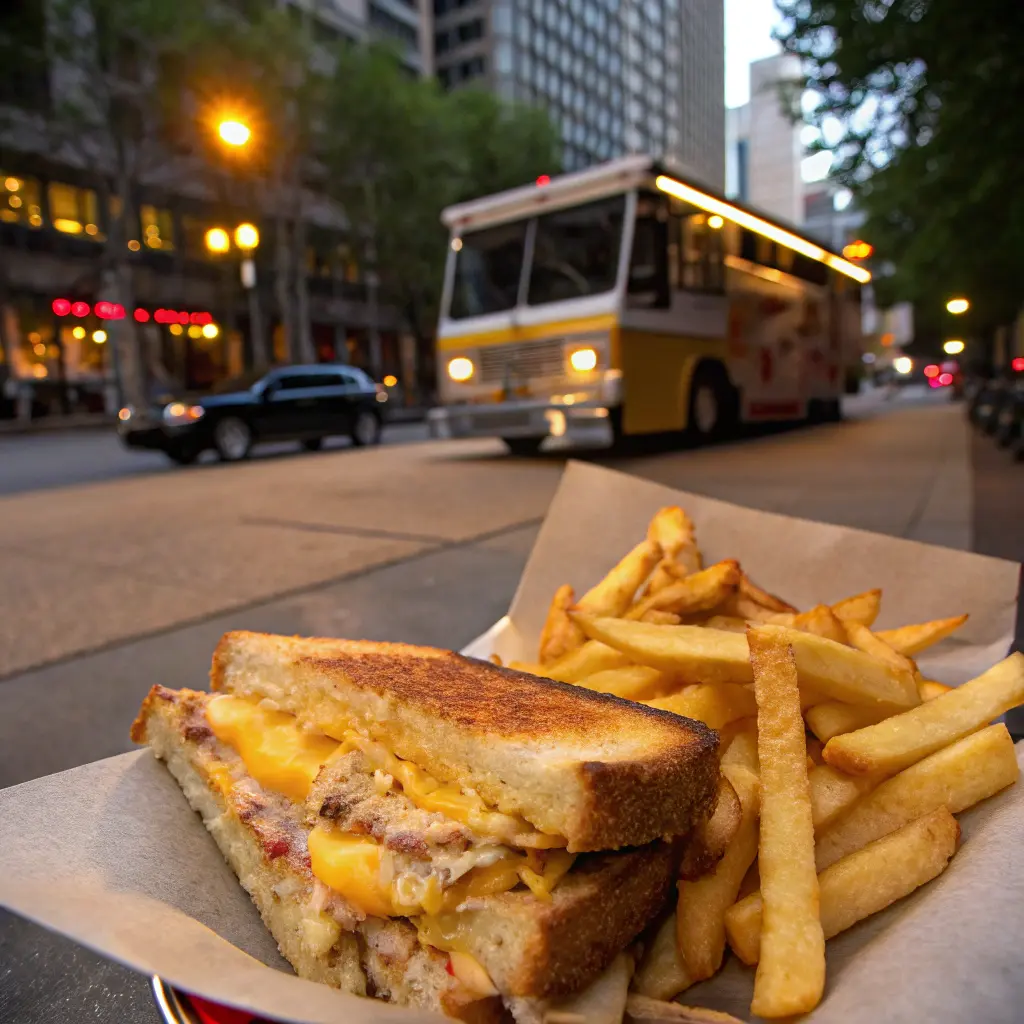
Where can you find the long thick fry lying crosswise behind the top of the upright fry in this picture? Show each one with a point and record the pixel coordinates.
(700, 655)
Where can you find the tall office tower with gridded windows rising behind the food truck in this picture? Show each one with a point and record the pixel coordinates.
(636, 76)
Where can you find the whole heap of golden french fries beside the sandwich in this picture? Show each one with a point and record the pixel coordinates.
(842, 767)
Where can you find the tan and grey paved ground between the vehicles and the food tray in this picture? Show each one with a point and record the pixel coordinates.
(129, 577)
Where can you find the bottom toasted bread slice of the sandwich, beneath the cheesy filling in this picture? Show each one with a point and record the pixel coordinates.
(529, 947)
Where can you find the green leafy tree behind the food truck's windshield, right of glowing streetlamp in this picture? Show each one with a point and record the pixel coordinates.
(398, 151)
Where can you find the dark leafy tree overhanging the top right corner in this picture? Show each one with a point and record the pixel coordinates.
(919, 101)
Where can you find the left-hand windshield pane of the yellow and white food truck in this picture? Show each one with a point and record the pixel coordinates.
(487, 271)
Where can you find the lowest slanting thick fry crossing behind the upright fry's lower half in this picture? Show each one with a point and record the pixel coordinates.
(864, 883)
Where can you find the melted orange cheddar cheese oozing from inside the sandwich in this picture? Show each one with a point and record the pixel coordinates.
(281, 756)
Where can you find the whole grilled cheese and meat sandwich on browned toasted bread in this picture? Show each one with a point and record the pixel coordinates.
(430, 829)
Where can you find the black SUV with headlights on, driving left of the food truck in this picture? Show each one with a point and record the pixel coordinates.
(305, 404)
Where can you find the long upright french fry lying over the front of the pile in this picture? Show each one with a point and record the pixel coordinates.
(791, 973)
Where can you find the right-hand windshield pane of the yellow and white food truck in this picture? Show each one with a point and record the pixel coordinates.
(577, 251)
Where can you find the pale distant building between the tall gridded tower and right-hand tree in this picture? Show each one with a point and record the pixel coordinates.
(763, 148)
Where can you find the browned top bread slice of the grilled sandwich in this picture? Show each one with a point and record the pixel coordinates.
(603, 773)
